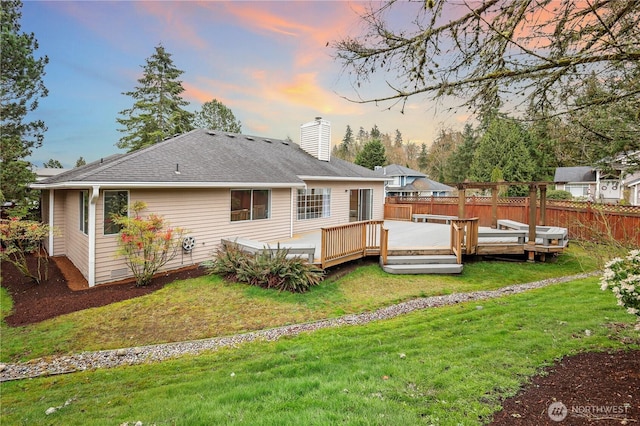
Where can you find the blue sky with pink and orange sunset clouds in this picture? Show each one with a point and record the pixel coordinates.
(267, 61)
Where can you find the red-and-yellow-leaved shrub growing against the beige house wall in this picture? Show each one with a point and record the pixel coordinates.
(147, 244)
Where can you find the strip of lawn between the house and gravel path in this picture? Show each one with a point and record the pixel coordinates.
(209, 307)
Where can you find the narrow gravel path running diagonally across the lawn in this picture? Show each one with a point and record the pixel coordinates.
(53, 365)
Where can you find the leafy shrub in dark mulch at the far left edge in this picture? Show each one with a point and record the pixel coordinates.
(20, 238)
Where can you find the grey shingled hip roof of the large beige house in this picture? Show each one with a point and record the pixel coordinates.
(203, 158)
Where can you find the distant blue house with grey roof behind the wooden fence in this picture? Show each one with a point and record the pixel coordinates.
(406, 182)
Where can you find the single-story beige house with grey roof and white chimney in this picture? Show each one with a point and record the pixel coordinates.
(215, 185)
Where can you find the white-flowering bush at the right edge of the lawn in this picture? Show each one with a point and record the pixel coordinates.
(622, 277)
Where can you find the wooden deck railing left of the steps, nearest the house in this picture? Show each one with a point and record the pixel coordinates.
(351, 241)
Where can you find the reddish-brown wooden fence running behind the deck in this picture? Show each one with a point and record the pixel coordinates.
(584, 220)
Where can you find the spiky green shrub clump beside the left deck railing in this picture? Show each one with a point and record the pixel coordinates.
(266, 269)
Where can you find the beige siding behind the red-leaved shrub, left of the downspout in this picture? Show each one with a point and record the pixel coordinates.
(204, 213)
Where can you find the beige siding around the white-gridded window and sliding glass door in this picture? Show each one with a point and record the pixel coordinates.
(339, 204)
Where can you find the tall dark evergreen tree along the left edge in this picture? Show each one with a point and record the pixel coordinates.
(21, 85)
